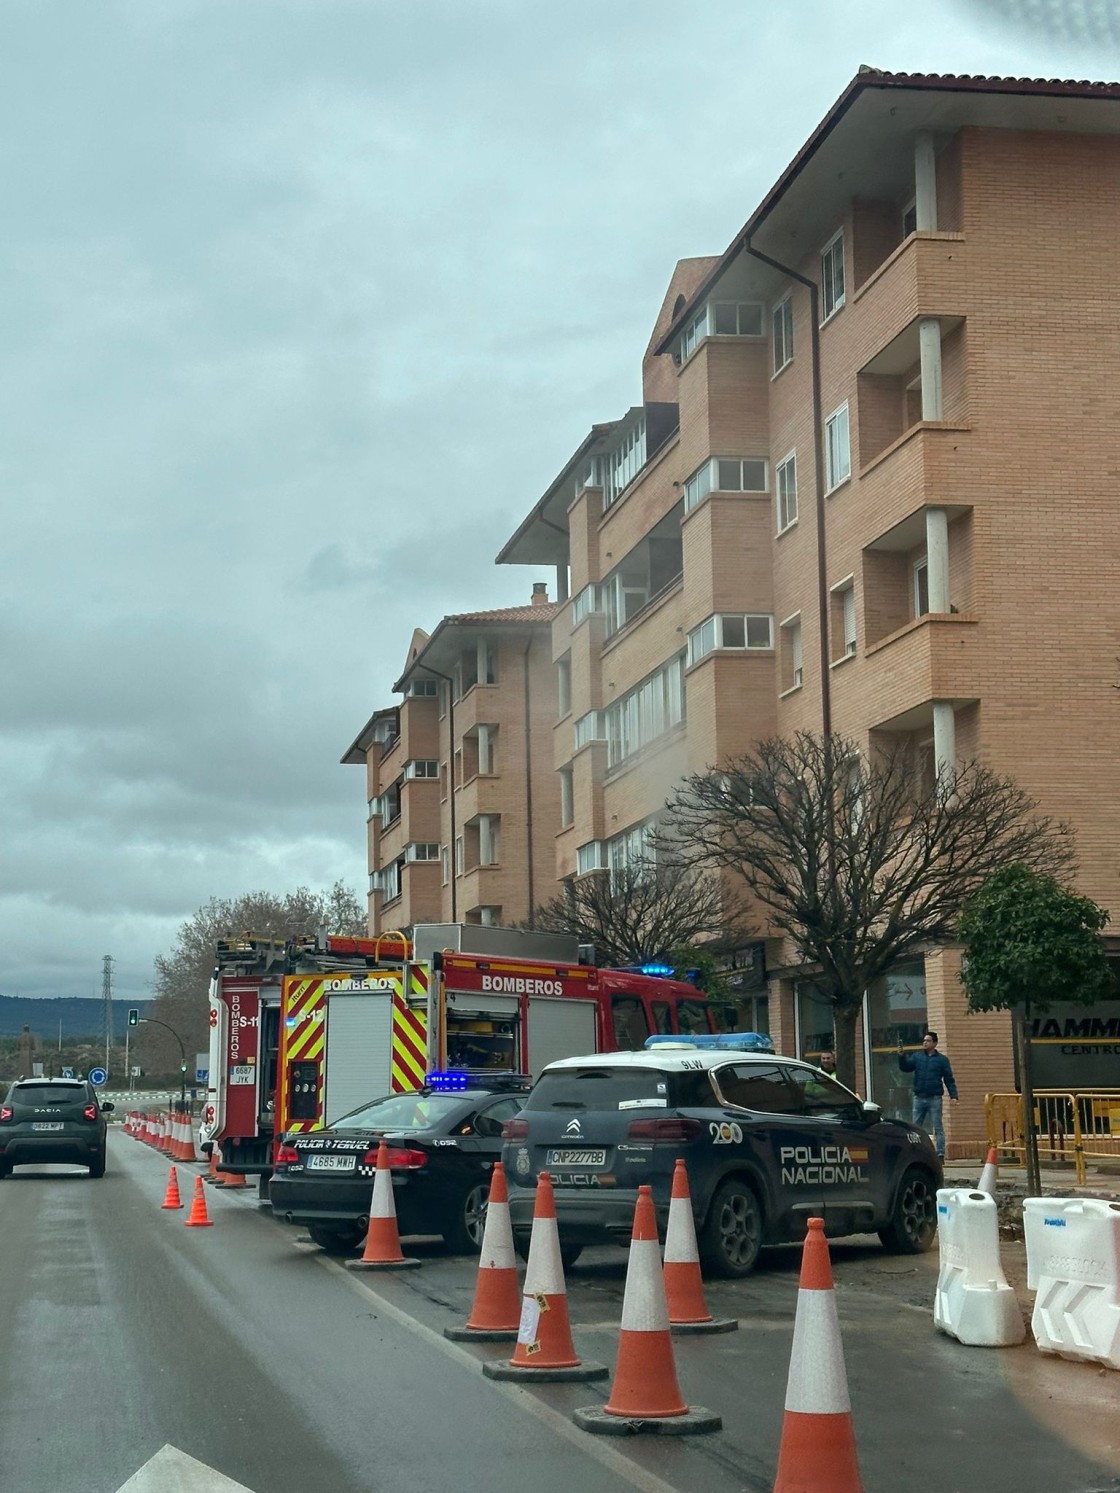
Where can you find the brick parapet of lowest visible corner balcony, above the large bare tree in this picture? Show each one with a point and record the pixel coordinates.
(936, 658)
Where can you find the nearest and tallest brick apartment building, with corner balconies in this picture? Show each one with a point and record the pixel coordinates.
(871, 489)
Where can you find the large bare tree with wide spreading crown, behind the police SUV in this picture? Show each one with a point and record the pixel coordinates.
(858, 862)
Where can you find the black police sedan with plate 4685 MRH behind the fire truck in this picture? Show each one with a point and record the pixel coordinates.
(441, 1149)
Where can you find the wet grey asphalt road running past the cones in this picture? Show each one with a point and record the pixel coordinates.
(240, 1353)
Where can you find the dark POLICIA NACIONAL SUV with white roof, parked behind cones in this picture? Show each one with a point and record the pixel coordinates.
(770, 1143)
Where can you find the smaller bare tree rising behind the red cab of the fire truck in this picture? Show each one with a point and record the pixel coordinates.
(644, 913)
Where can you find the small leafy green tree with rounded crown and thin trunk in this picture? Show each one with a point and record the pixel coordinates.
(1028, 943)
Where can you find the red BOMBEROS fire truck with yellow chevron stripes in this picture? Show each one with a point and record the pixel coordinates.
(326, 1029)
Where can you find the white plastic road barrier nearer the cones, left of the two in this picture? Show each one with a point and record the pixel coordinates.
(974, 1303)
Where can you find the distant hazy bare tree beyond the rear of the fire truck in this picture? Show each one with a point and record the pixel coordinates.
(184, 976)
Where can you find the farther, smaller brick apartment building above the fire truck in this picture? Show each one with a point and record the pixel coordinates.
(464, 797)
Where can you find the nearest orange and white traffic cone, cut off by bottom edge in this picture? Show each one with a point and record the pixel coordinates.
(818, 1437)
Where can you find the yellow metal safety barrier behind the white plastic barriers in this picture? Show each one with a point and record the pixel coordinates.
(1073, 1126)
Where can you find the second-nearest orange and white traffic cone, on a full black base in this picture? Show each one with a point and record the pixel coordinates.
(646, 1395)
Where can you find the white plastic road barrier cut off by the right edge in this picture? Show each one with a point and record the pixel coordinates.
(1074, 1267)
